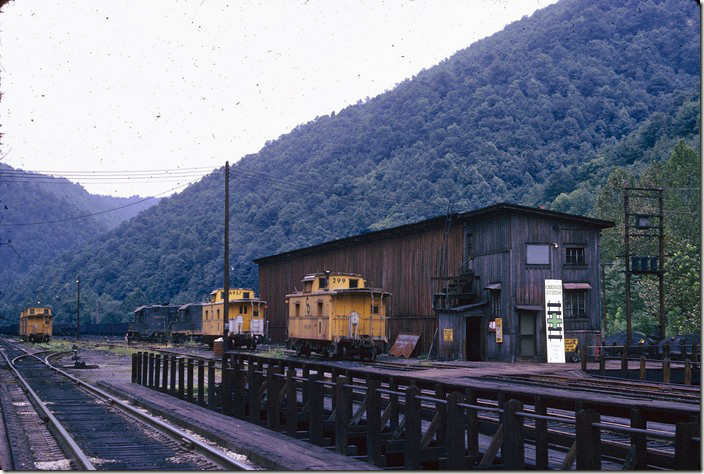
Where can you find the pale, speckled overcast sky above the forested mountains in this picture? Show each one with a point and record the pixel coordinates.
(111, 94)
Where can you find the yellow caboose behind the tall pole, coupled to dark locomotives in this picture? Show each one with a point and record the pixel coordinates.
(246, 317)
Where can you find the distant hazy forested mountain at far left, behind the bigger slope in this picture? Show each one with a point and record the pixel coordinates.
(27, 198)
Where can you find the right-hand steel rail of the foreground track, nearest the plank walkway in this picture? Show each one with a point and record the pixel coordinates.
(217, 456)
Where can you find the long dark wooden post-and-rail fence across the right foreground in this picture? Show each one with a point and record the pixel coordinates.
(405, 422)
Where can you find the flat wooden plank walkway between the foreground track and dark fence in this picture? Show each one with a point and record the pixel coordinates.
(267, 448)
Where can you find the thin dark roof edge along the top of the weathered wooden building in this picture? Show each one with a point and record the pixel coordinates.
(432, 223)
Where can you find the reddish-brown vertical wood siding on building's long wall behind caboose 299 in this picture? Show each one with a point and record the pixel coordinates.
(402, 265)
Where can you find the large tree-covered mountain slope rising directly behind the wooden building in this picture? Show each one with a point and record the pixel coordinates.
(537, 114)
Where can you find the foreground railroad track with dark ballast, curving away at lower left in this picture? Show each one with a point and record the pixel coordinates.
(98, 431)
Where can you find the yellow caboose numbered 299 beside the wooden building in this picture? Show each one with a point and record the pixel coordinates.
(335, 314)
